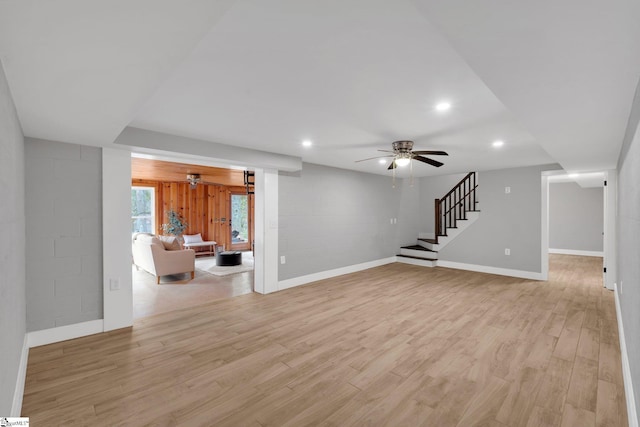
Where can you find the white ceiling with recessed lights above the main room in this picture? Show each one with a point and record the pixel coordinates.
(554, 81)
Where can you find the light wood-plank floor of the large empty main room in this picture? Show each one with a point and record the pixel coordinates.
(395, 345)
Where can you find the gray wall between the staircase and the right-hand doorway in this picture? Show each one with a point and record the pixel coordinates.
(511, 221)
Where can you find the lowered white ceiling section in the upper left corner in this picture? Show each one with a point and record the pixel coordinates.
(78, 70)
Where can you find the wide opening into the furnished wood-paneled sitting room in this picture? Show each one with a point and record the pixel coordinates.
(215, 208)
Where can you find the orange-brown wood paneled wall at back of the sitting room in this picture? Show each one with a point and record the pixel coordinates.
(205, 208)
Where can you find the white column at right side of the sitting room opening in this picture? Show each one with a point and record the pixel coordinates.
(266, 231)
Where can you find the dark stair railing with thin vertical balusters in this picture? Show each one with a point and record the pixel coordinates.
(454, 205)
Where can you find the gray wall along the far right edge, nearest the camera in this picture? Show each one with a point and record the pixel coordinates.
(628, 249)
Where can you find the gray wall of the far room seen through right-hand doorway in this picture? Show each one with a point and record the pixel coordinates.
(576, 217)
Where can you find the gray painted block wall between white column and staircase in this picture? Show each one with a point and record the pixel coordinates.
(331, 218)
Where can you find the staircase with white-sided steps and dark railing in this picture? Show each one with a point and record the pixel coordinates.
(454, 212)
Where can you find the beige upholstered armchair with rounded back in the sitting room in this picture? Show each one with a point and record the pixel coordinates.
(151, 254)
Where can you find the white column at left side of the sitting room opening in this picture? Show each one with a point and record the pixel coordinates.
(116, 238)
